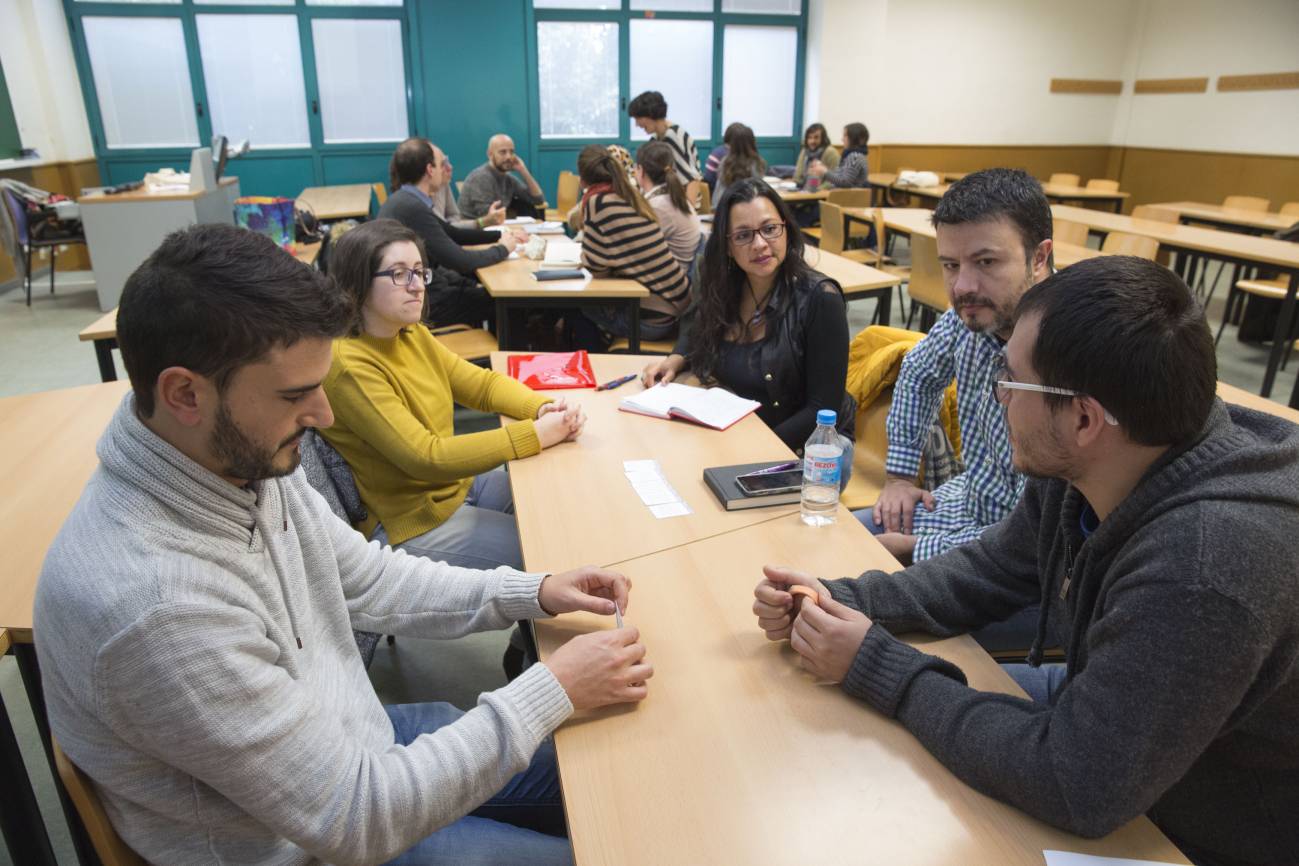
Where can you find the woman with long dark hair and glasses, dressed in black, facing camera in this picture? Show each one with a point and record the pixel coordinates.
(766, 325)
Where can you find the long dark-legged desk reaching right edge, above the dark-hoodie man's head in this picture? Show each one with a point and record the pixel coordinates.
(1227, 247)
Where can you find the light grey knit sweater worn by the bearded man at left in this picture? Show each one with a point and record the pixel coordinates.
(197, 642)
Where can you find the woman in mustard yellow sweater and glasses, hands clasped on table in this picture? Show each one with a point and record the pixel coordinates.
(394, 386)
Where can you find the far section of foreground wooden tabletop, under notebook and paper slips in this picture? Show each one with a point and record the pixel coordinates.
(559, 491)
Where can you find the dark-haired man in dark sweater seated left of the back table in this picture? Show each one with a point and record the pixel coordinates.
(416, 176)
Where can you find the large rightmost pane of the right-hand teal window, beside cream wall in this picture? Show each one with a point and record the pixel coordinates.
(758, 77)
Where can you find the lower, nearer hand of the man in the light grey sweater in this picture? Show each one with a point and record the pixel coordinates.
(602, 668)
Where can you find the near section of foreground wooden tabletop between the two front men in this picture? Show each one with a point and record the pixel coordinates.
(740, 758)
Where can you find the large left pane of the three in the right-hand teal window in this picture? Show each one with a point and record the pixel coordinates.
(577, 71)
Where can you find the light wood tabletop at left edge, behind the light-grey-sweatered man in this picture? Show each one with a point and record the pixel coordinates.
(47, 455)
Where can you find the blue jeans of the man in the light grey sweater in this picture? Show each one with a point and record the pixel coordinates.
(520, 825)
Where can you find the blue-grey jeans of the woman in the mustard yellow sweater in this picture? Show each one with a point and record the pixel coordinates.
(481, 534)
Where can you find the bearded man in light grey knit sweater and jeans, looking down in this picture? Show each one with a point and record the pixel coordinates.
(194, 617)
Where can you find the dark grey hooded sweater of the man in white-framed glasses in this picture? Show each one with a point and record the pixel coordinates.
(1180, 621)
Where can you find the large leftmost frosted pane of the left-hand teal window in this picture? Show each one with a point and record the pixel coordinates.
(142, 80)
